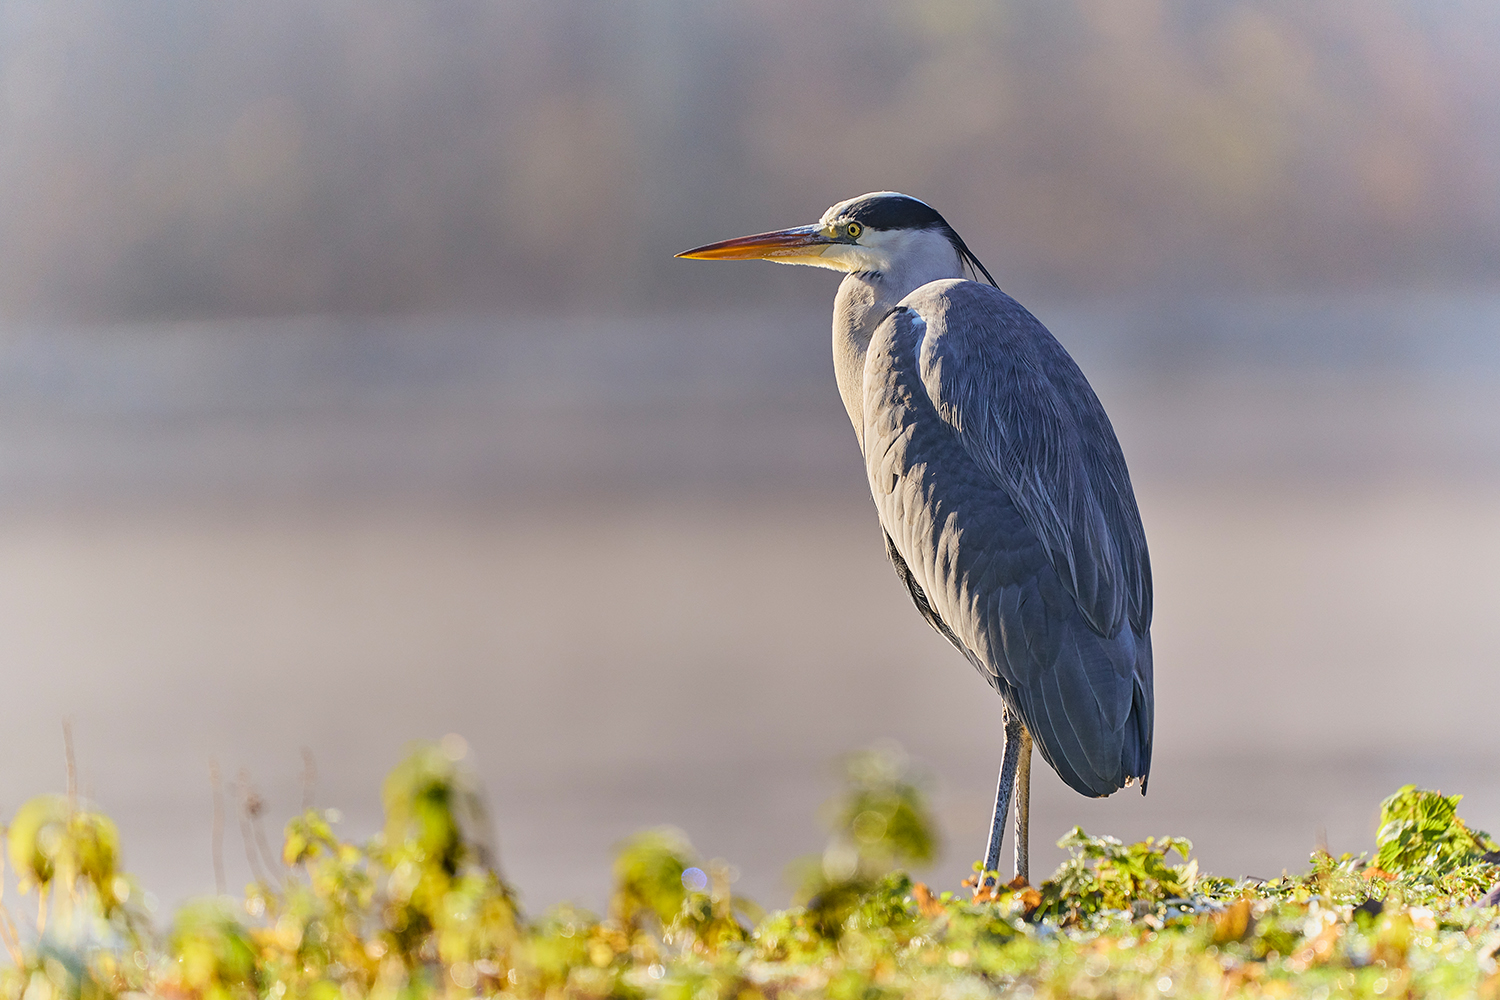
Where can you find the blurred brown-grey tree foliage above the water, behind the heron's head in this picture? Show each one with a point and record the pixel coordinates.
(299, 155)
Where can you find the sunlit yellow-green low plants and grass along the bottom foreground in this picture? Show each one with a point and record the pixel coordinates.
(422, 912)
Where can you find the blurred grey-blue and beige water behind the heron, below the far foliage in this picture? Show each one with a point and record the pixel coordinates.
(635, 564)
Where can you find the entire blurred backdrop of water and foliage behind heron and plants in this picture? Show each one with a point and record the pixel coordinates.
(350, 395)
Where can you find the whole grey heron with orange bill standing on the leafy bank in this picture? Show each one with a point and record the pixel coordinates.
(1007, 507)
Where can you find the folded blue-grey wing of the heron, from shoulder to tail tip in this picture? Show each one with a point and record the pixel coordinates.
(1010, 518)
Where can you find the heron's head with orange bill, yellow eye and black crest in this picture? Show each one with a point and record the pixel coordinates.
(880, 233)
